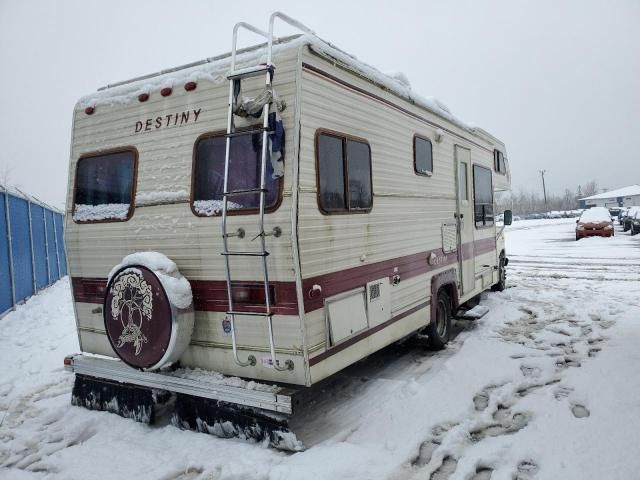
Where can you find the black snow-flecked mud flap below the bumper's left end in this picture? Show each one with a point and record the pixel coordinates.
(126, 400)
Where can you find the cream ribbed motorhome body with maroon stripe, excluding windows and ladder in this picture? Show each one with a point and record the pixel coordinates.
(345, 285)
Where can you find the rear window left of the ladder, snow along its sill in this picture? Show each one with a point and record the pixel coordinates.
(104, 187)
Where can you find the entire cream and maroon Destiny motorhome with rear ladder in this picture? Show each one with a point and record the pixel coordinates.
(274, 215)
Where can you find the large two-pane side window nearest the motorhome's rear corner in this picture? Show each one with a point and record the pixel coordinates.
(344, 173)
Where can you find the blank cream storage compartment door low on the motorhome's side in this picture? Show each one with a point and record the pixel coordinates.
(346, 315)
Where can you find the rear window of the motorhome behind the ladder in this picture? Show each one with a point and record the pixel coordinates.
(244, 174)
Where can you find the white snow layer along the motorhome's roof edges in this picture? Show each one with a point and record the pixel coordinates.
(215, 70)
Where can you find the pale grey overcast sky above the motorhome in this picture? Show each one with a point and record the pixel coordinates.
(557, 81)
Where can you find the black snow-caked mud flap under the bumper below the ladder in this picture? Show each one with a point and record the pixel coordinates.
(227, 420)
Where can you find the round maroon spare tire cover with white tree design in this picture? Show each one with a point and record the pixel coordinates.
(139, 318)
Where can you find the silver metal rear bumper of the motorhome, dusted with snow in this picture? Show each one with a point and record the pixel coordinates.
(278, 400)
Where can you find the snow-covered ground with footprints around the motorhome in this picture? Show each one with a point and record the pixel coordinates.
(545, 386)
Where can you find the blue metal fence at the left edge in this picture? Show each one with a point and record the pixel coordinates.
(31, 248)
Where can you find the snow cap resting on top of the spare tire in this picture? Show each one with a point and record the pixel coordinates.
(177, 287)
